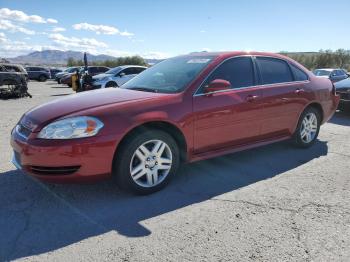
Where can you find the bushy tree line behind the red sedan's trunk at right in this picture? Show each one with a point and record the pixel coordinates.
(322, 59)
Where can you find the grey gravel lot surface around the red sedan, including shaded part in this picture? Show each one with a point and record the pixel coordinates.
(273, 203)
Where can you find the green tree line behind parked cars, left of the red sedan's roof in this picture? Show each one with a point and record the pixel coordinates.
(128, 60)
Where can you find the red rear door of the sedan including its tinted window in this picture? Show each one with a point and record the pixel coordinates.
(283, 91)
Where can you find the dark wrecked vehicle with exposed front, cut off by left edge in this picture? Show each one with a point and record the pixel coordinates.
(13, 81)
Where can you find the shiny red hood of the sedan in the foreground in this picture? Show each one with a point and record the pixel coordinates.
(41, 115)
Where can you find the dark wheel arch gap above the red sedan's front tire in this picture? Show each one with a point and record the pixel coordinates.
(166, 126)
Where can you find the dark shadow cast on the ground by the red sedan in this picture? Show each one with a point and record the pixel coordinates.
(36, 218)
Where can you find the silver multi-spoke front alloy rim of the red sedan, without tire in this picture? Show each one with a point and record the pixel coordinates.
(151, 163)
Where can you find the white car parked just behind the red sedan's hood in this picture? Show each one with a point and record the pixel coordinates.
(116, 76)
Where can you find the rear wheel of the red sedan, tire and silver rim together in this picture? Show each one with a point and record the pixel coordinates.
(308, 128)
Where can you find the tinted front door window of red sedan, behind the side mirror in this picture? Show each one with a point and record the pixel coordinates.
(238, 71)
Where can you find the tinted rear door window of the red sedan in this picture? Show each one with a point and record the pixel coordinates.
(274, 70)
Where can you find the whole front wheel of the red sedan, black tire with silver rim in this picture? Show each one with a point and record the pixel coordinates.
(152, 173)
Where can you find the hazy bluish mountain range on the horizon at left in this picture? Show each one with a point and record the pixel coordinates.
(57, 57)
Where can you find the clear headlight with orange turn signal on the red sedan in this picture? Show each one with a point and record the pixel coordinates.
(69, 128)
